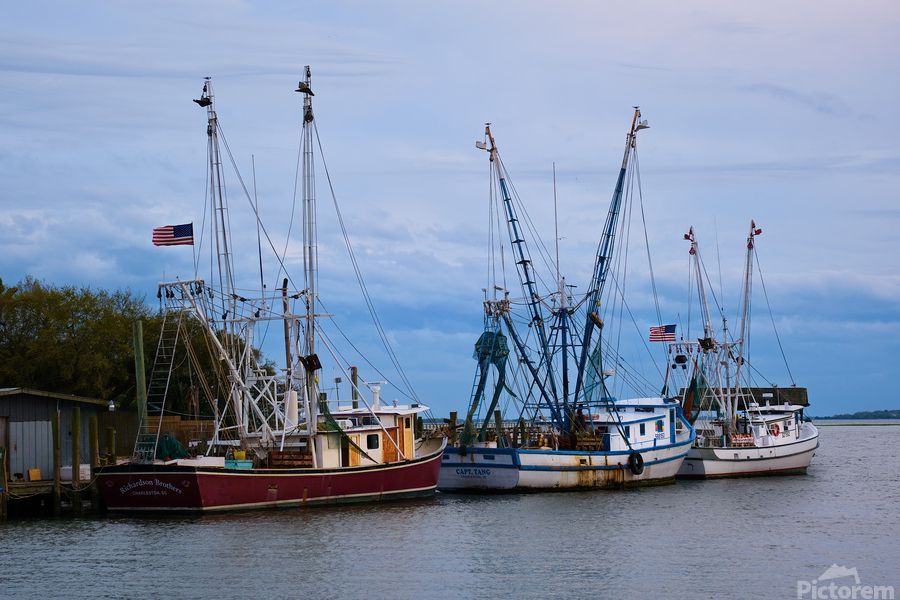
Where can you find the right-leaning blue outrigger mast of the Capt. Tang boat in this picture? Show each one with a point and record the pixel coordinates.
(605, 250)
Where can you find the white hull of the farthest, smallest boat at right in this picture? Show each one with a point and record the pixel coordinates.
(787, 459)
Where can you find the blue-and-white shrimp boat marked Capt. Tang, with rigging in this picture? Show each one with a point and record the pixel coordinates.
(567, 430)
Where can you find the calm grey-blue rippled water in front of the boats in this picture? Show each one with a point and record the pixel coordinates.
(731, 538)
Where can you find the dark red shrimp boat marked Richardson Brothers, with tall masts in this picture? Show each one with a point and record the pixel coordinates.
(278, 440)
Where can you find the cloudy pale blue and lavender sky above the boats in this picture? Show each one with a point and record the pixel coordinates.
(780, 112)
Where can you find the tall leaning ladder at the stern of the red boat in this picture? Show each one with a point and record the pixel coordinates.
(158, 388)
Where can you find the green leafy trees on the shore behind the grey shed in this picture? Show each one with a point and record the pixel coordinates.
(78, 340)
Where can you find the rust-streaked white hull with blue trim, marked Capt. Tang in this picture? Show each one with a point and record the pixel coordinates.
(518, 469)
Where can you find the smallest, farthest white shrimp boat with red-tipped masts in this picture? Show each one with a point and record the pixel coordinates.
(741, 430)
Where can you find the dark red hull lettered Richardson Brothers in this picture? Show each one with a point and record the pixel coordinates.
(142, 487)
